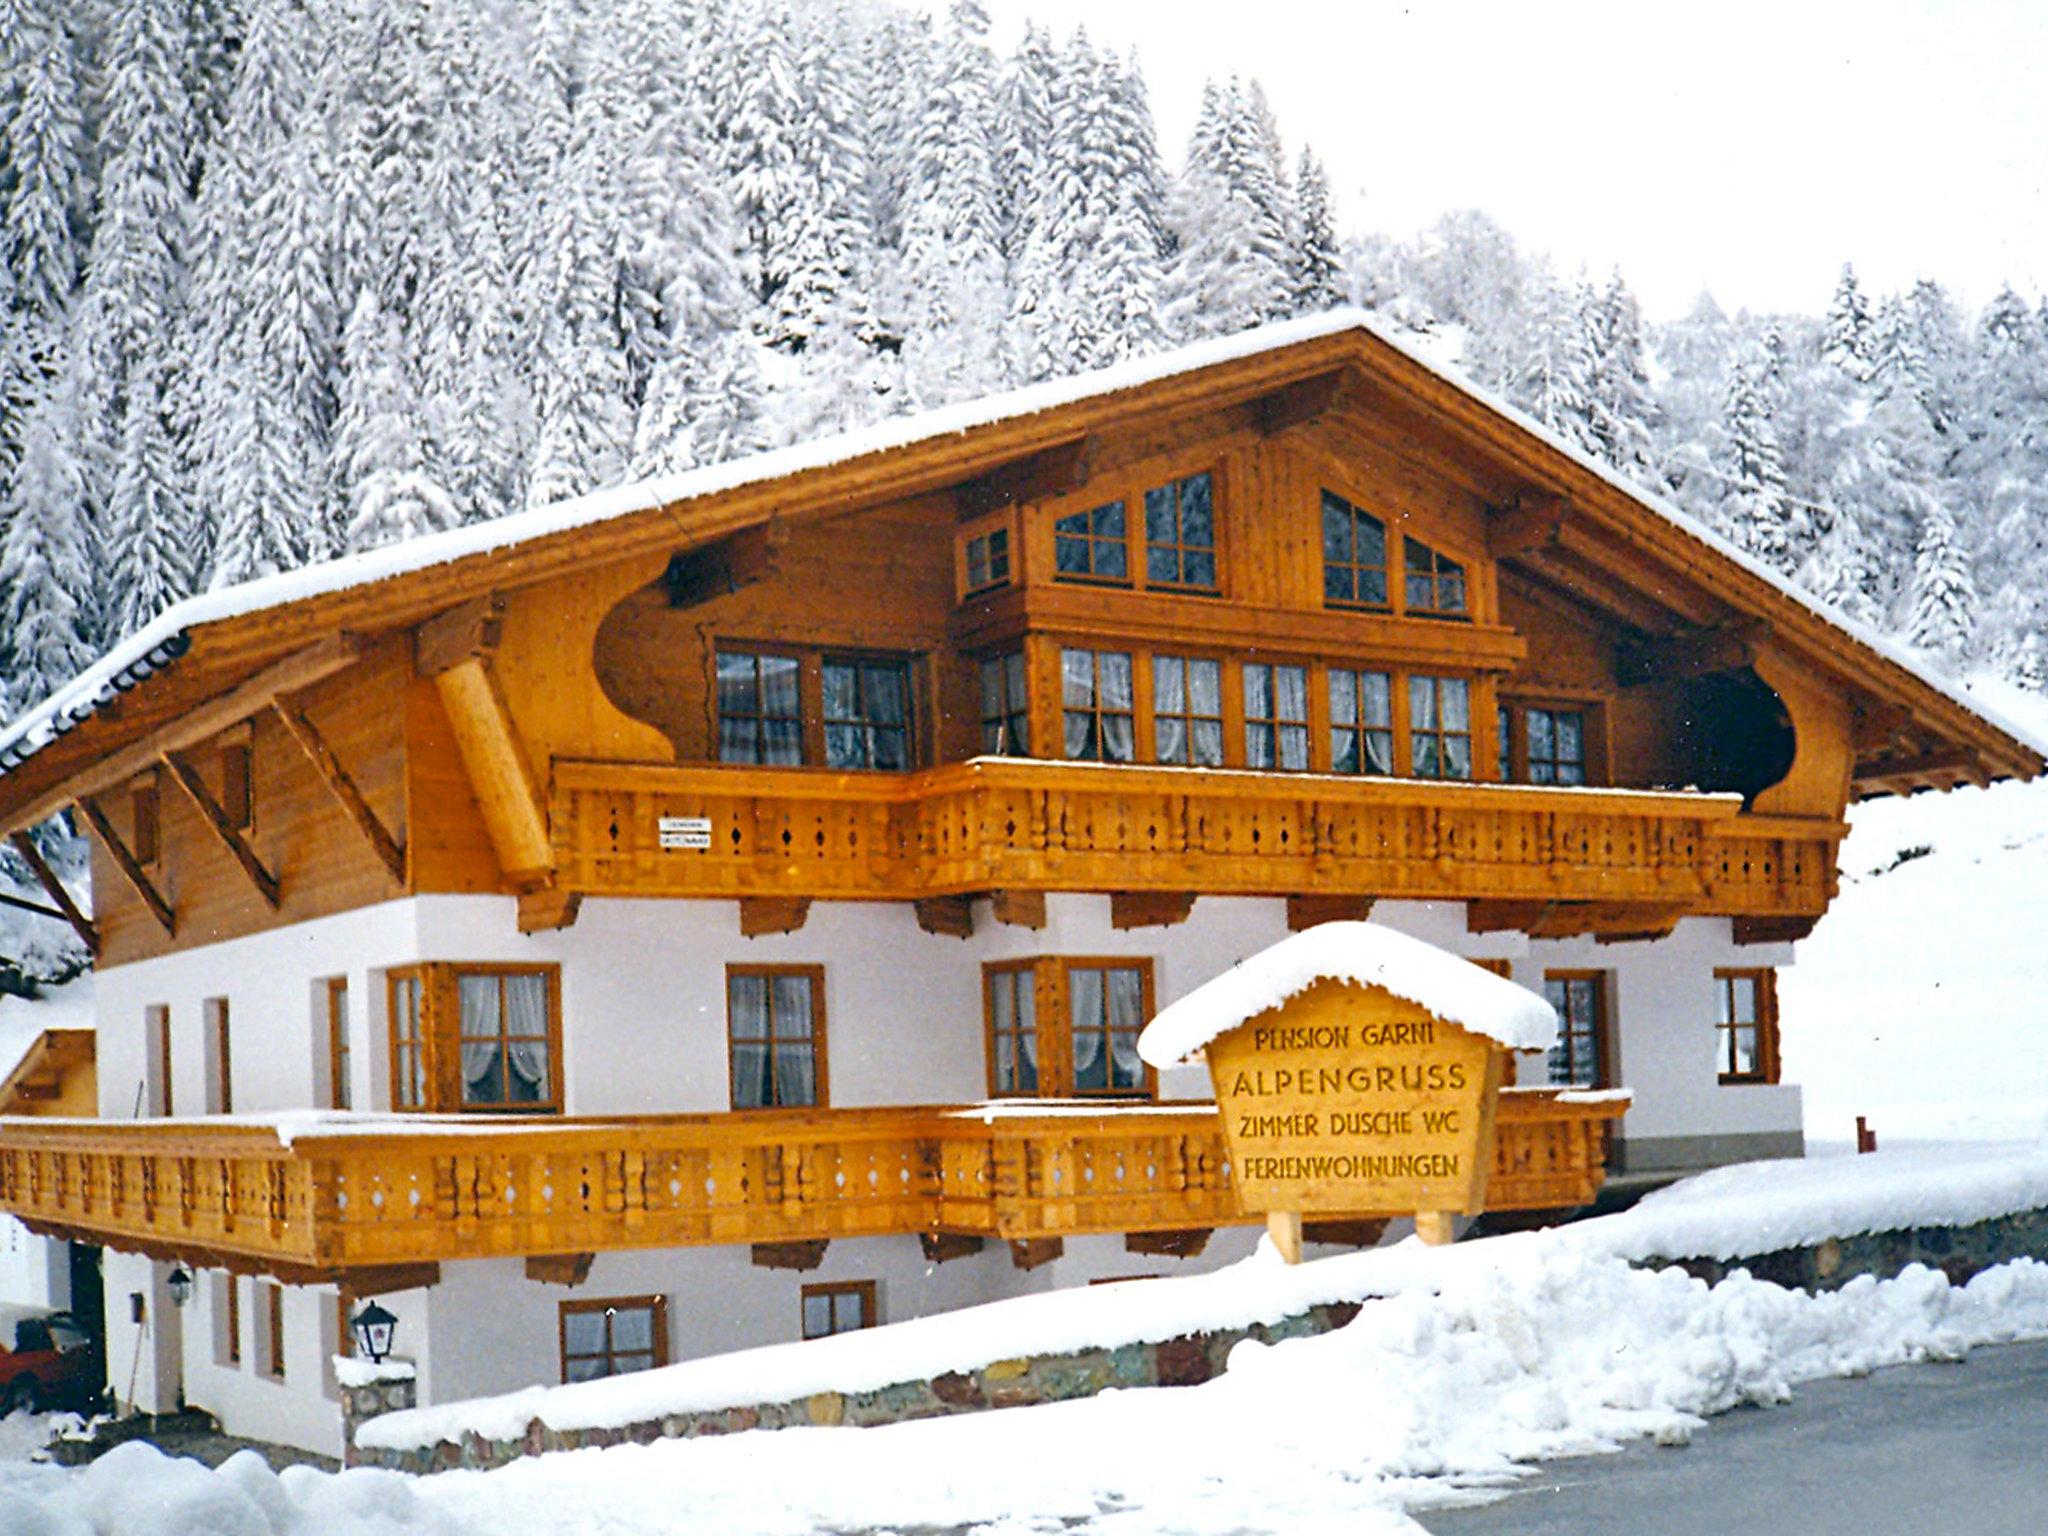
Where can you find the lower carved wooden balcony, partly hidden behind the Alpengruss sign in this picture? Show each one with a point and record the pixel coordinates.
(374, 1193)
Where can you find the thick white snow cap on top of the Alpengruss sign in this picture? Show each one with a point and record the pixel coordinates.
(1369, 955)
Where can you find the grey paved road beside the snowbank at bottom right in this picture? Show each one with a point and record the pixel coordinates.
(1957, 1451)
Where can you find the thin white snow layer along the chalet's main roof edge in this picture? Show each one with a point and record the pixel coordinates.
(161, 644)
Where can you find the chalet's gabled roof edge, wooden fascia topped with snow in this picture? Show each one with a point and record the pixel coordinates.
(218, 640)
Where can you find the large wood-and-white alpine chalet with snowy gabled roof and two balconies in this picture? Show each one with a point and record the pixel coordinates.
(724, 910)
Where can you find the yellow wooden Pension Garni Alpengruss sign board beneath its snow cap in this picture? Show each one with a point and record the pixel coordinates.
(1351, 1101)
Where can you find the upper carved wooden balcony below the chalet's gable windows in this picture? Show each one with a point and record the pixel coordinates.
(1007, 824)
